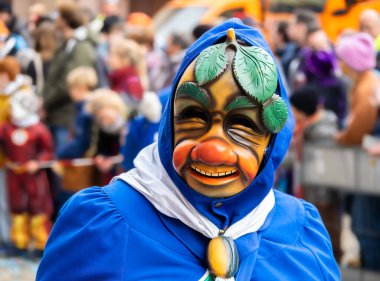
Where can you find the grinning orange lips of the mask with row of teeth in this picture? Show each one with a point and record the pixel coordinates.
(213, 175)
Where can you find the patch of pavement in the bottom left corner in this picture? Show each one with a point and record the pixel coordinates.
(17, 269)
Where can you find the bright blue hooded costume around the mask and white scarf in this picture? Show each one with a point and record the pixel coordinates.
(115, 233)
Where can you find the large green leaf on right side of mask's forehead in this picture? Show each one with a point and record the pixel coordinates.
(255, 71)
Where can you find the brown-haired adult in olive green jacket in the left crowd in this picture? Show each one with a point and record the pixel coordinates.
(76, 50)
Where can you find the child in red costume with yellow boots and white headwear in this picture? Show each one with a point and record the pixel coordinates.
(27, 142)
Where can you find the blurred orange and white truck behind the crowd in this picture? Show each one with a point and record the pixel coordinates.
(181, 16)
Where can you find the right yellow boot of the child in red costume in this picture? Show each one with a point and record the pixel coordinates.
(40, 229)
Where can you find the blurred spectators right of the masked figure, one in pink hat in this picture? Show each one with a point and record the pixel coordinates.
(334, 92)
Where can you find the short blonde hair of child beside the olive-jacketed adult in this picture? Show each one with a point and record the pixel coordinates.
(82, 76)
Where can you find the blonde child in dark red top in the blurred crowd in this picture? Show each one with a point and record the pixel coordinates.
(124, 77)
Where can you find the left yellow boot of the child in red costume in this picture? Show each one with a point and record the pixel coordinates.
(20, 231)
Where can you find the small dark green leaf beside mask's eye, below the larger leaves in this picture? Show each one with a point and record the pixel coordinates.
(274, 114)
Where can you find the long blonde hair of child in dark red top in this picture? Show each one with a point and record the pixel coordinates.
(130, 50)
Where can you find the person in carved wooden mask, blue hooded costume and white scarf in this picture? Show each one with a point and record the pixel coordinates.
(199, 205)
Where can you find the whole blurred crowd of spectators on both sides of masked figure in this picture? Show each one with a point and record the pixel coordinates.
(81, 94)
